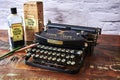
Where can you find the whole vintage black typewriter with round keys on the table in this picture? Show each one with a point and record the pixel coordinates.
(62, 47)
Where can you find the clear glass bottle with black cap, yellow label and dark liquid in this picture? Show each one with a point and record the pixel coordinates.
(15, 30)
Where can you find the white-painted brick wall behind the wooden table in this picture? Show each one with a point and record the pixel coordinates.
(95, 13)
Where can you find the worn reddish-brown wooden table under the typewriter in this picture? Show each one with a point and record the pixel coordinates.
(104, 64)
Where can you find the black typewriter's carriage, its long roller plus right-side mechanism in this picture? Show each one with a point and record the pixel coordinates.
(90, 34)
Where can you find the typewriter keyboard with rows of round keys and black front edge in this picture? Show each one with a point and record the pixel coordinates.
(55, 58)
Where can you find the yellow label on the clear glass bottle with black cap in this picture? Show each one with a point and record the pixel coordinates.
(17, 32)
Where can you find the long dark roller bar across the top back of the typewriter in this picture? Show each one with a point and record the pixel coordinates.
(92, 30)
